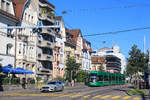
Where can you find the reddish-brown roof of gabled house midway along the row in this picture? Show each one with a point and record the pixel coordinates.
(75, 33)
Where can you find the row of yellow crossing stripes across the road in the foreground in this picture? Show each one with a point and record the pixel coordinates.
(96, 97)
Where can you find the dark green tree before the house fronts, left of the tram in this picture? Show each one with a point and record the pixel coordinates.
(72, 68)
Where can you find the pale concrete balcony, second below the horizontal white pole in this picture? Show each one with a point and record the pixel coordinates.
(46, 44)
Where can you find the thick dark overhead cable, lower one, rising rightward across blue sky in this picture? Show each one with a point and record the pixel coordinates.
(116, 32)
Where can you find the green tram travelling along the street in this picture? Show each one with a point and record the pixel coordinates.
(101, 78)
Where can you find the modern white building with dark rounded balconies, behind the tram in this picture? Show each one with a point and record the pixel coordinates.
(115, 59)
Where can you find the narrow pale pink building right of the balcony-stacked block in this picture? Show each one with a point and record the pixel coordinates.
(59, 62)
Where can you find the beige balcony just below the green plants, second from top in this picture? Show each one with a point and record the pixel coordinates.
(47, 17)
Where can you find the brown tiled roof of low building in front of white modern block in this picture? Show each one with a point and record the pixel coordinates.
(98, 59)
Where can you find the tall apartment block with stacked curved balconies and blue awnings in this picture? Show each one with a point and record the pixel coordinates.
(45, 40)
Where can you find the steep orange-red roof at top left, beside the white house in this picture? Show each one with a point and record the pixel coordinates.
(18, 7)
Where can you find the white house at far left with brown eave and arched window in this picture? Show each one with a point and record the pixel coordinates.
(7, 36)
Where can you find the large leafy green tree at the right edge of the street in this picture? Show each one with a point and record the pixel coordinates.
(136, 63)
